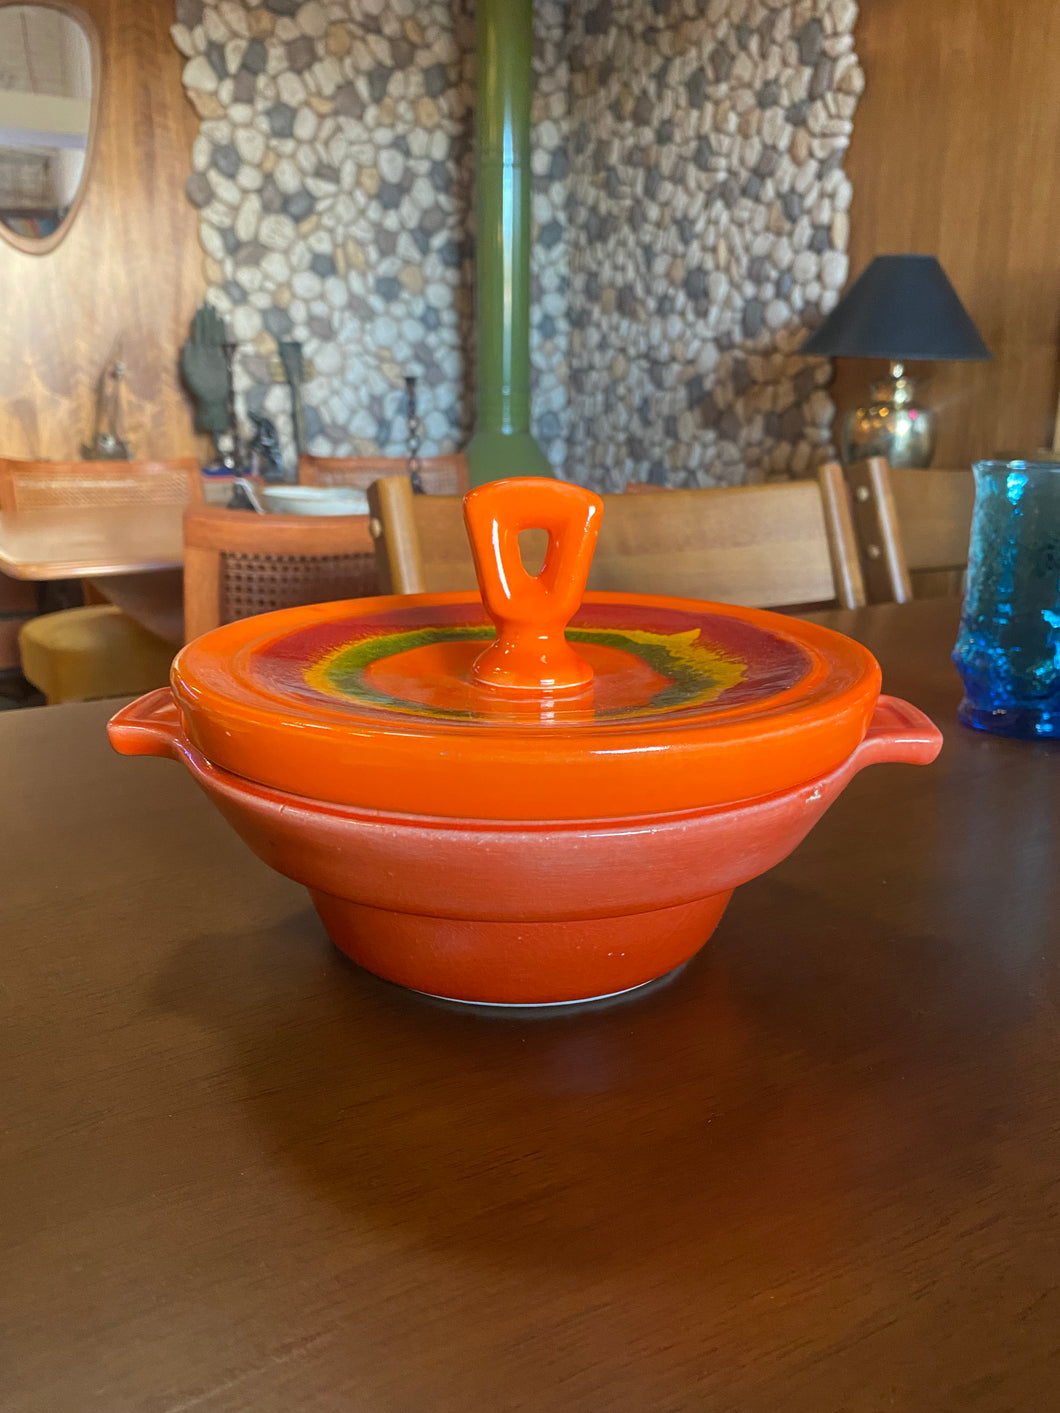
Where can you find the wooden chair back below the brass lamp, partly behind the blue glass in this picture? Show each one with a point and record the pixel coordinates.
(914, 529)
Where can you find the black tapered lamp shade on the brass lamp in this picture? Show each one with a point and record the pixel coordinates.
(900, 307)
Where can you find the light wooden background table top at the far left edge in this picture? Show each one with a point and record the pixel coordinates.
(74, 543)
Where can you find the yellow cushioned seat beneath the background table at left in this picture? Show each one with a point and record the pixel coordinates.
(93, 652)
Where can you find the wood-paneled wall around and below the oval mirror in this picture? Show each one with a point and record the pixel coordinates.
(131, 265)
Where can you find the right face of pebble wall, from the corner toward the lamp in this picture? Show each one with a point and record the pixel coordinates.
(709, 234)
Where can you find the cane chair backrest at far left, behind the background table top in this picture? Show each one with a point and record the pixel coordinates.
(37, 485)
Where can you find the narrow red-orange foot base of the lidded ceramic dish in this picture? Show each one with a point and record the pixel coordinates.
(519, 964)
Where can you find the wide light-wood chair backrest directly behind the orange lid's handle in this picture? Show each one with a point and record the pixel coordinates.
(778, 546)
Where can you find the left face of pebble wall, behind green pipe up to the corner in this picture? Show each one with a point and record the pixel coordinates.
(333, 180)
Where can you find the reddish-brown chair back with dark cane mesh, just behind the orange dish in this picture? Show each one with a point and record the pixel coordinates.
(238, 564)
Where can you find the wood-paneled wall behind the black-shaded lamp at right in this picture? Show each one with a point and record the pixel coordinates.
(956, 153)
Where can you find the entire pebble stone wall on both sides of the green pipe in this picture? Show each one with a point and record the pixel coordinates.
(689, 203)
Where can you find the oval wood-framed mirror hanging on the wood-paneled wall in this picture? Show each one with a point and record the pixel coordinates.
(49, 110)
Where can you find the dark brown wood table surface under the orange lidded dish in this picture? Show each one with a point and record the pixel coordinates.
(816, 1173)
